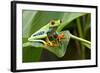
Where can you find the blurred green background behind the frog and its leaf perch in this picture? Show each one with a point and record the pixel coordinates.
(78, 23)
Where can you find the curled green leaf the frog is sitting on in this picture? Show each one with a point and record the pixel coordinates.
(58, 50)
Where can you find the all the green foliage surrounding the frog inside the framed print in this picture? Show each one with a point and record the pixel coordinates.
(74, 23)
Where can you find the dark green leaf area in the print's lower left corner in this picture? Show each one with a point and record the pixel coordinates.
(31, 54)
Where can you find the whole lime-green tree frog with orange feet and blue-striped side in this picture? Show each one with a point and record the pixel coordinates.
(46, 33)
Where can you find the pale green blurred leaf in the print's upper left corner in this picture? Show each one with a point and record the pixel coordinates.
(28, 17)
